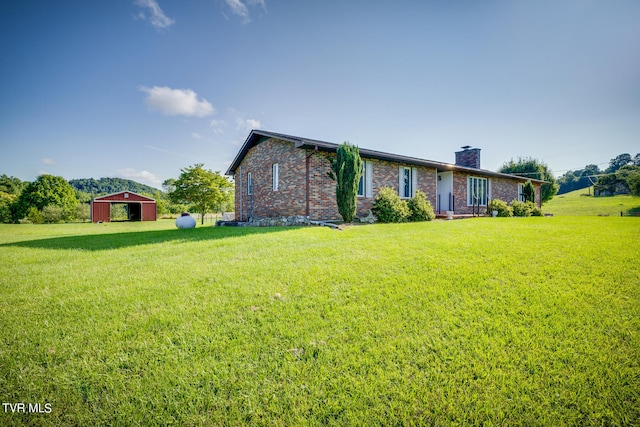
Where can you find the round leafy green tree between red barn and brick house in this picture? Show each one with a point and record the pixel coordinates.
(207, 191)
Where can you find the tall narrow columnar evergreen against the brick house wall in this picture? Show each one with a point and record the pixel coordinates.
(346, 169)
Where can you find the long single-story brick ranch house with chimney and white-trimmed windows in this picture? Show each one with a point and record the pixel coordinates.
(279, 175)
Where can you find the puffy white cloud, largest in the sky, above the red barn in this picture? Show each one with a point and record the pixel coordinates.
(175, 102)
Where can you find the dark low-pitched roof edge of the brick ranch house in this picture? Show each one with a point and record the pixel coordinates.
(257, 136)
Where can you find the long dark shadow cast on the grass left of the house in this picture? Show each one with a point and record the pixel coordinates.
(108, 241)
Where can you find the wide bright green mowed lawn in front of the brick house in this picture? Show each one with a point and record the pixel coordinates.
(494, 321)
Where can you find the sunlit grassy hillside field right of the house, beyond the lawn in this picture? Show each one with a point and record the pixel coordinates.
(579, 203)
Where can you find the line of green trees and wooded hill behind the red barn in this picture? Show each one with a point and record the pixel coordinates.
(52, 199)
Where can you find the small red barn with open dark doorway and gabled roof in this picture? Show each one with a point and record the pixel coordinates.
(139, 208)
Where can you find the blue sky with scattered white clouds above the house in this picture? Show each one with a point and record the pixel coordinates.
(142, 88)
